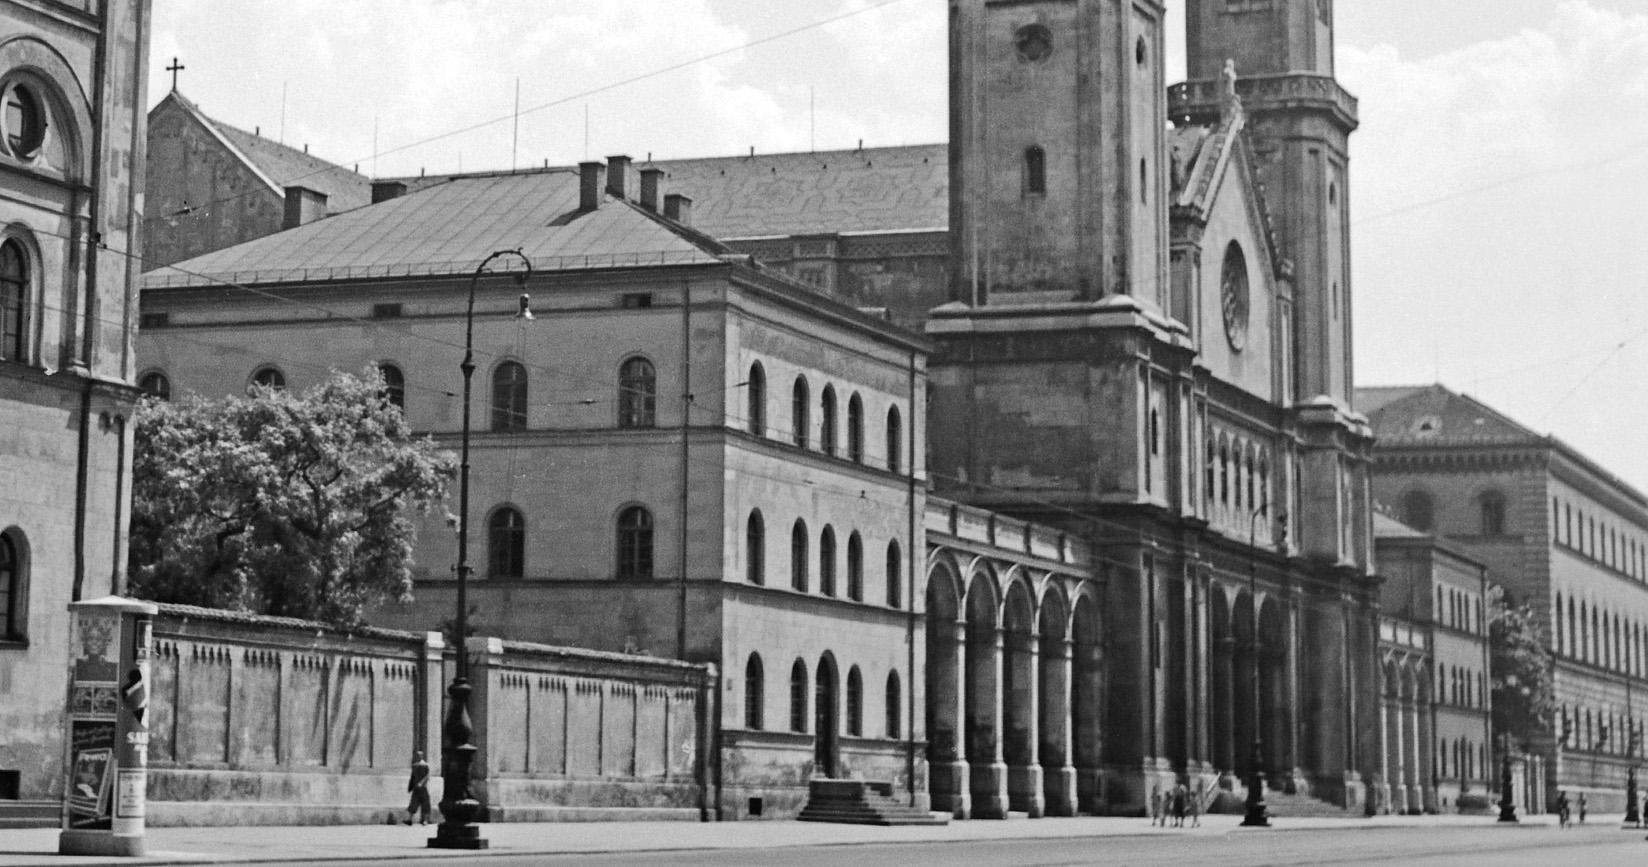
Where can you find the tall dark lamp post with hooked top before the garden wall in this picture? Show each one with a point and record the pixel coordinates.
(459, 805)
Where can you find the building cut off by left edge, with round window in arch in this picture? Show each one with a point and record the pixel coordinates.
(72, 157)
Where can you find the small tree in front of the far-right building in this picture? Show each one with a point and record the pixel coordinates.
(1524, 698)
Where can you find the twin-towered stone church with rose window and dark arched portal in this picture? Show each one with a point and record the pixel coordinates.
(1140, 354)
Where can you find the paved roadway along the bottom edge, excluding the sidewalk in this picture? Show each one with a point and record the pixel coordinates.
(1428, 846)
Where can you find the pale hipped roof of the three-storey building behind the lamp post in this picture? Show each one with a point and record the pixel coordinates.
(447, 228)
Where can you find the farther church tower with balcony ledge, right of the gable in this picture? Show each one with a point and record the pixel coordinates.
(1301, 121)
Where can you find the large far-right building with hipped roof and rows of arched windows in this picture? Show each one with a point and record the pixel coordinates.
(1561, 535)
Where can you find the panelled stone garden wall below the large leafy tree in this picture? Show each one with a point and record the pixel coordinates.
(276, 721)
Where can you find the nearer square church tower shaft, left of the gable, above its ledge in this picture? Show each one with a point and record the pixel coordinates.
(1057, 141)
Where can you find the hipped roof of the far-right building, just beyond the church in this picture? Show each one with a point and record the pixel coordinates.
(1438, 416)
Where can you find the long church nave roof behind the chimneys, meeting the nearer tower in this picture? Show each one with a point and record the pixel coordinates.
(830, 192)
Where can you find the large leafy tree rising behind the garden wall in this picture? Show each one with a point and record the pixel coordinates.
(297, 505)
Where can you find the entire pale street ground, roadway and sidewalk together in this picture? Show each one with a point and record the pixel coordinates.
(1042, 843)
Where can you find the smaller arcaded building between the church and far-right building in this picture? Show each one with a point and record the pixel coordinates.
(1436, 719)
